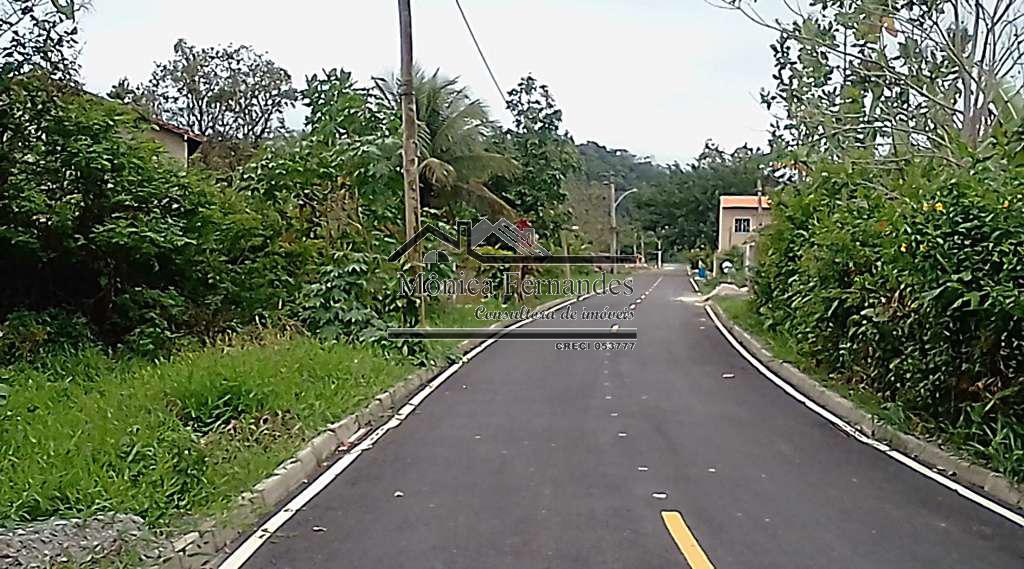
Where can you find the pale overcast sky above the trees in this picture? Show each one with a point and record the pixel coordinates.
(657, 77)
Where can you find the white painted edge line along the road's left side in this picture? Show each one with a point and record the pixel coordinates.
(248, 548)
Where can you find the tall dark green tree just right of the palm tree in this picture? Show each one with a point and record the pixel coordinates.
(546, 154)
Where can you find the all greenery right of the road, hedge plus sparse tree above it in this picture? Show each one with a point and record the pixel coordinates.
(893, 265)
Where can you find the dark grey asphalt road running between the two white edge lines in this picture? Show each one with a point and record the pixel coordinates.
(533, 458)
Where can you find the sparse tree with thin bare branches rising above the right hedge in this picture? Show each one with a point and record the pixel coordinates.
(920, 77)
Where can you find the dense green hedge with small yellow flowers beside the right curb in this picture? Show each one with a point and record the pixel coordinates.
(910, 283)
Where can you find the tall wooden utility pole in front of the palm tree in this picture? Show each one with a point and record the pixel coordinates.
(409, 151)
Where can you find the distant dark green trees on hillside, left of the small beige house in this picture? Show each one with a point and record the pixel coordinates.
(684, 210)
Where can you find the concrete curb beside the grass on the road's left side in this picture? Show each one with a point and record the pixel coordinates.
(204, 548)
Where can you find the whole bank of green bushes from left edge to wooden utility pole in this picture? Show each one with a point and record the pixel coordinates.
(98, 223)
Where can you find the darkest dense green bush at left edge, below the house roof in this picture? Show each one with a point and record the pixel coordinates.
(97, 222)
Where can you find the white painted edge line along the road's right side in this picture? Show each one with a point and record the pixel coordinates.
(842, 425)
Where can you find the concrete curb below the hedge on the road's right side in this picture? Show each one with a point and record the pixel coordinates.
(980, 479)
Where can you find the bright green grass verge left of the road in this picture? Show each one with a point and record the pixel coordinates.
(184, 437)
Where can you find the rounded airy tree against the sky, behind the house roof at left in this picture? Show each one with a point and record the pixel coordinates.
(228, 94)
